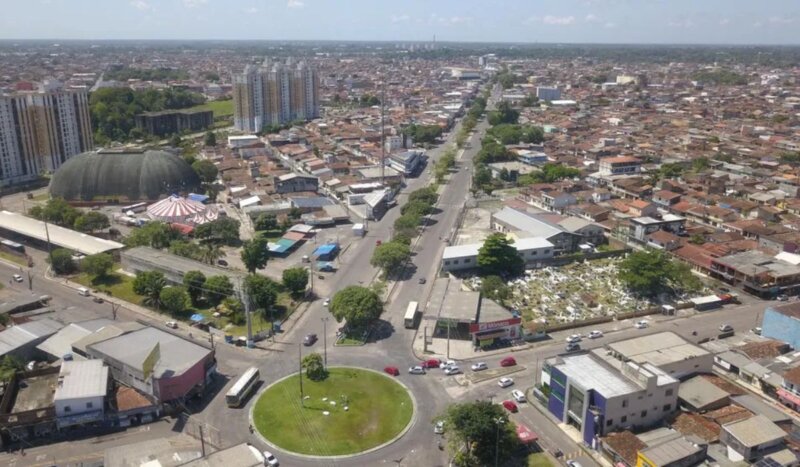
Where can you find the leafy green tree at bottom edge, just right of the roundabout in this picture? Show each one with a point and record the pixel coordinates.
(478, 433)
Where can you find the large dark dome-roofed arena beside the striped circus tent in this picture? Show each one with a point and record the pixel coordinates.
(126, 175)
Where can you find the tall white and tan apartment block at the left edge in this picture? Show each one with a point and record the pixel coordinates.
(41, 130)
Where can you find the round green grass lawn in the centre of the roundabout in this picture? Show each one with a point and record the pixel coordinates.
(378, 410)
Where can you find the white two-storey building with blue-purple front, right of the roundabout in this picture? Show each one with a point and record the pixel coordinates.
(597, 396)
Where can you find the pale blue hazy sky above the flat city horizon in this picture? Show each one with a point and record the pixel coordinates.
(545, 21)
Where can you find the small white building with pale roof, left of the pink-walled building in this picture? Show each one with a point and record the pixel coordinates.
(81, 391)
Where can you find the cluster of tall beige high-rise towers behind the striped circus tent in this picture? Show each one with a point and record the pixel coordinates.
(274, 94)
